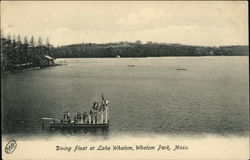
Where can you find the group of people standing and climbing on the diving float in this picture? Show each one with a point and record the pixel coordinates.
(86, 117)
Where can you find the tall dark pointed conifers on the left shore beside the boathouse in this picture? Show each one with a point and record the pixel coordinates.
(17, 52)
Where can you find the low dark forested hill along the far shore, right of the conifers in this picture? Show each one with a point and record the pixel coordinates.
(137, 49)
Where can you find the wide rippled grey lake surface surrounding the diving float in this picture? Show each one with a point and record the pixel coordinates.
(163, 95)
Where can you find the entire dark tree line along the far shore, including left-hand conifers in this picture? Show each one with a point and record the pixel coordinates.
(17, 52)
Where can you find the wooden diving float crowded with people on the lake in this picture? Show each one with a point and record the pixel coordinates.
(97, 117)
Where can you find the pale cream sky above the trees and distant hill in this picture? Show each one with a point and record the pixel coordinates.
(207, 23)
